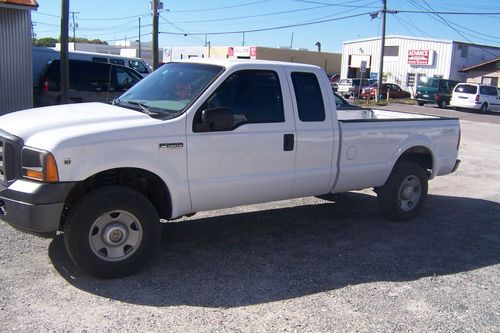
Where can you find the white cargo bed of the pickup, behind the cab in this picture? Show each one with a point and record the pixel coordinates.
(371, 140)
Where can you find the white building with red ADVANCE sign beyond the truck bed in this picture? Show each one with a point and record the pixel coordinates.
(408, 59)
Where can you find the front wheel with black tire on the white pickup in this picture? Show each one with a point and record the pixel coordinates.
(112, 232)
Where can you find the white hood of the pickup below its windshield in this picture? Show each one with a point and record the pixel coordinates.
(46, 127)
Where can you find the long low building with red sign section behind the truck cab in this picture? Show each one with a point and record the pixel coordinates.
(328, 61)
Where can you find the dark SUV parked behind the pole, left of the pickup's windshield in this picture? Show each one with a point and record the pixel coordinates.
(88, 82)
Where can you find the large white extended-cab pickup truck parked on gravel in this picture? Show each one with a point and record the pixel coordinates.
(201, 135)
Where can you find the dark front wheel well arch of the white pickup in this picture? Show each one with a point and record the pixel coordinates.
(145, 182)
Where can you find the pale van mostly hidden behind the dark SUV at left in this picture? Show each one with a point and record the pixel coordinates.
(42, 55)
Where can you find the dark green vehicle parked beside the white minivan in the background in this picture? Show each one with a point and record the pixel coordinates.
(435, 90)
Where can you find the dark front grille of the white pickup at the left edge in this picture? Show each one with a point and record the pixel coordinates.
(10, 149)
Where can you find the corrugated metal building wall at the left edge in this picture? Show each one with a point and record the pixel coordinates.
(16, 91)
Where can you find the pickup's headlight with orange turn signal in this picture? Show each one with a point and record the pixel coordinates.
(39, 165)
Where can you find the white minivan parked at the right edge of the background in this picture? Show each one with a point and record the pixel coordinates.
(476, 96)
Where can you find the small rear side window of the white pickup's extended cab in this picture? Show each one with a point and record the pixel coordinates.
(308, 95)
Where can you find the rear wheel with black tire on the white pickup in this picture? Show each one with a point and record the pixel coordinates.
(404, 192)
